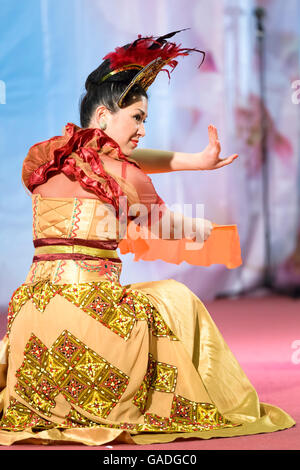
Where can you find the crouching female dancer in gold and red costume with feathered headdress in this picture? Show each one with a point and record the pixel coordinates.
(86, 359)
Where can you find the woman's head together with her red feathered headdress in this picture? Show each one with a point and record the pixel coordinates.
(116, 90)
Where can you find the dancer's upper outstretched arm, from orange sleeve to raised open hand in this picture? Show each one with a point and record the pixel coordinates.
(161, 161)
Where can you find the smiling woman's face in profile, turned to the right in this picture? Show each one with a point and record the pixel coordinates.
(126, 126)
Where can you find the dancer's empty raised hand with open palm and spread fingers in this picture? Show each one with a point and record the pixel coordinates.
(209, 159)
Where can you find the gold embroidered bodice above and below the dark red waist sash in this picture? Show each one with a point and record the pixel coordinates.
(69, 218)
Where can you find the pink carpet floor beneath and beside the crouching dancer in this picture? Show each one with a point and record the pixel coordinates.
(264, 334)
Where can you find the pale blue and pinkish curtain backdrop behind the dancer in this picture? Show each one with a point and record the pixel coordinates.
(48, 47)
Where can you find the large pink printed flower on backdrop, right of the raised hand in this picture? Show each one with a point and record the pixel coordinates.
(249, 131)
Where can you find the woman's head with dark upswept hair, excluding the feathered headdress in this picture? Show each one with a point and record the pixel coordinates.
(99, 108)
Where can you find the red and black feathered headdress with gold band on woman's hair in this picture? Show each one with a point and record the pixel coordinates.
(147, 56)
